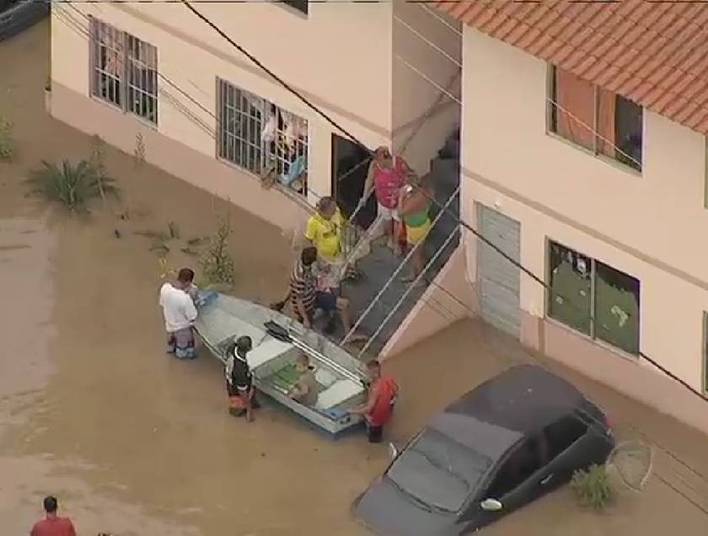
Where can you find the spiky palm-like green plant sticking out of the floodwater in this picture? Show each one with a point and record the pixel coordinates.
(72, 185)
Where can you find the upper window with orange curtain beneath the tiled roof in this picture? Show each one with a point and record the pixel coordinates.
(598, 120)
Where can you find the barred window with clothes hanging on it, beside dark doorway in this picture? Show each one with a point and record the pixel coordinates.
(261, 137)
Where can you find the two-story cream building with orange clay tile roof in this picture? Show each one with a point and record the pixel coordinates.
(584, 159)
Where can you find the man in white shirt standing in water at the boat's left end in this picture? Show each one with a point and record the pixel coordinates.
(177, 302)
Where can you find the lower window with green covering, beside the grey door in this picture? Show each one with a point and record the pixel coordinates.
(593, 298)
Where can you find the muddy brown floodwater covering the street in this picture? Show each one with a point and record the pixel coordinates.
(134, 442)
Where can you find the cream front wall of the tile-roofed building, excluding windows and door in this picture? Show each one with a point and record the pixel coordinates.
(650, 226)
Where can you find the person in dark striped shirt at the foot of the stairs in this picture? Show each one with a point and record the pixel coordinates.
(305, 296)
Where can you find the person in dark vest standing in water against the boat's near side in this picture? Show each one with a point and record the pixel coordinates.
(239, 380)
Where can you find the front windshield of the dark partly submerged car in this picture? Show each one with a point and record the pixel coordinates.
(438, 471)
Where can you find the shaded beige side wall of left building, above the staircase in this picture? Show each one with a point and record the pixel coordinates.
(422, 116)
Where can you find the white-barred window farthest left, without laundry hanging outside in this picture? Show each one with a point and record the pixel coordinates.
(123, 70)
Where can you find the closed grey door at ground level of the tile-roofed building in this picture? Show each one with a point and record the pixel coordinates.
(498, 278)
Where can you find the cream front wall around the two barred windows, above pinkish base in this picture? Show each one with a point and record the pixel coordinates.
(191, 56)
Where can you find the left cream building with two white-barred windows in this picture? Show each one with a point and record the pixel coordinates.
(156, 77)
